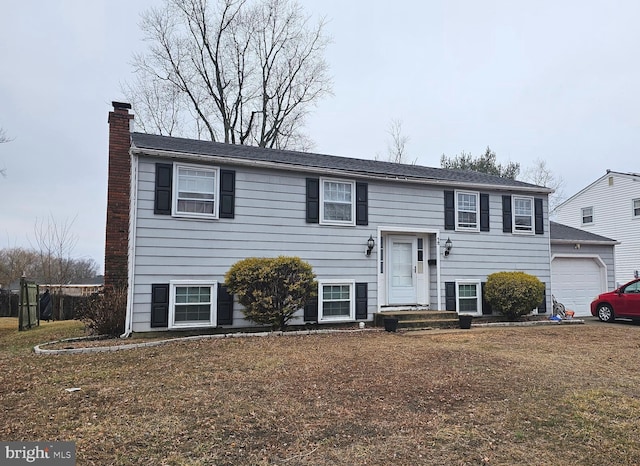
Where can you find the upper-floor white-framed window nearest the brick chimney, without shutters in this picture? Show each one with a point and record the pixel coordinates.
(195, 191)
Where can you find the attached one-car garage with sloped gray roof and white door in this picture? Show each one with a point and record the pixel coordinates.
(582, 267)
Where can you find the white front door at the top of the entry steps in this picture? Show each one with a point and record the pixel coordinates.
(402, 277)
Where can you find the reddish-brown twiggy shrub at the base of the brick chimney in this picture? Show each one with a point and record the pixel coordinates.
(104, 313)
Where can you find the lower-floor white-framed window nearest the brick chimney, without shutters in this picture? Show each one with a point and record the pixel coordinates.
(192, 304)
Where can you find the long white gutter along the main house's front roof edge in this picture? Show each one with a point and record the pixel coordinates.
(324, 171)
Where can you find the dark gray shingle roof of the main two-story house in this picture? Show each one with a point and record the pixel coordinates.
(303, 159)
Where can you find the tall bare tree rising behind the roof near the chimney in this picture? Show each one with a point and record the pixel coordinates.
(230, 70)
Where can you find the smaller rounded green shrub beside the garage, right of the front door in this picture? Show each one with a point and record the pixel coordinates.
(513, 294)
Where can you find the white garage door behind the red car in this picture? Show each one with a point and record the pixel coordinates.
(576, 281)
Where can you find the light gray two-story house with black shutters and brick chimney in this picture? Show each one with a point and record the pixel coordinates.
(379, 235)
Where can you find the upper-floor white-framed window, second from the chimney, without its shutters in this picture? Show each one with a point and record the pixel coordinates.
(337, 202)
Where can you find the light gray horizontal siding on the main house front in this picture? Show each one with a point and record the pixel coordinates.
(270, 220)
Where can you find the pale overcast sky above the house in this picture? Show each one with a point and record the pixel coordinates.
(556, 80)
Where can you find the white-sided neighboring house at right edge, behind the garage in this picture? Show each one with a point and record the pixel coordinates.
(610, 206)
